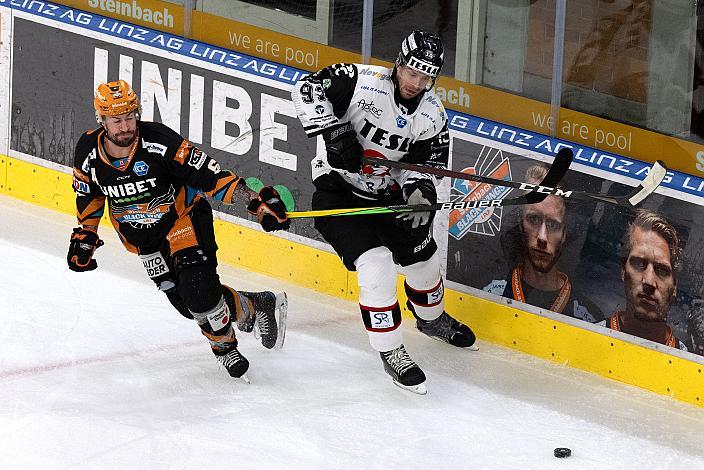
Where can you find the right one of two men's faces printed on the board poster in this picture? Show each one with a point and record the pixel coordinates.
(648, 277)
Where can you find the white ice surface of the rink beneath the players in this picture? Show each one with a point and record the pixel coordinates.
(97, 370)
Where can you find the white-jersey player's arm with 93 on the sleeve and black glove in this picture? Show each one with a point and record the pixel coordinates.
(321, 100)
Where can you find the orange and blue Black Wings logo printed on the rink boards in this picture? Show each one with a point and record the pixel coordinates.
(480, 220)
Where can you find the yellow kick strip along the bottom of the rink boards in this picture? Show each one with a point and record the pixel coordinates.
(322, 271)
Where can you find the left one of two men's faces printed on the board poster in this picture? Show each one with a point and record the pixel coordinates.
(544, 232)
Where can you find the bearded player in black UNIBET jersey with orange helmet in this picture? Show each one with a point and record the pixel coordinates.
(156, 183)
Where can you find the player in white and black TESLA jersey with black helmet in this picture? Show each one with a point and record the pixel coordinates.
(388, 114)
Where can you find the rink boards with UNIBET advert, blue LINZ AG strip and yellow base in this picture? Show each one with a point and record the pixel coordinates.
(53, 56)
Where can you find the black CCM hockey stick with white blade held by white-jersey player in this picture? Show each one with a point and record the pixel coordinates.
(655, 176)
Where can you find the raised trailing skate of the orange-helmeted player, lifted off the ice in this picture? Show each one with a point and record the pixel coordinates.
(268, 319)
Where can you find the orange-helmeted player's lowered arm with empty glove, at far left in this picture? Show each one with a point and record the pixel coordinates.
(90, 206)
